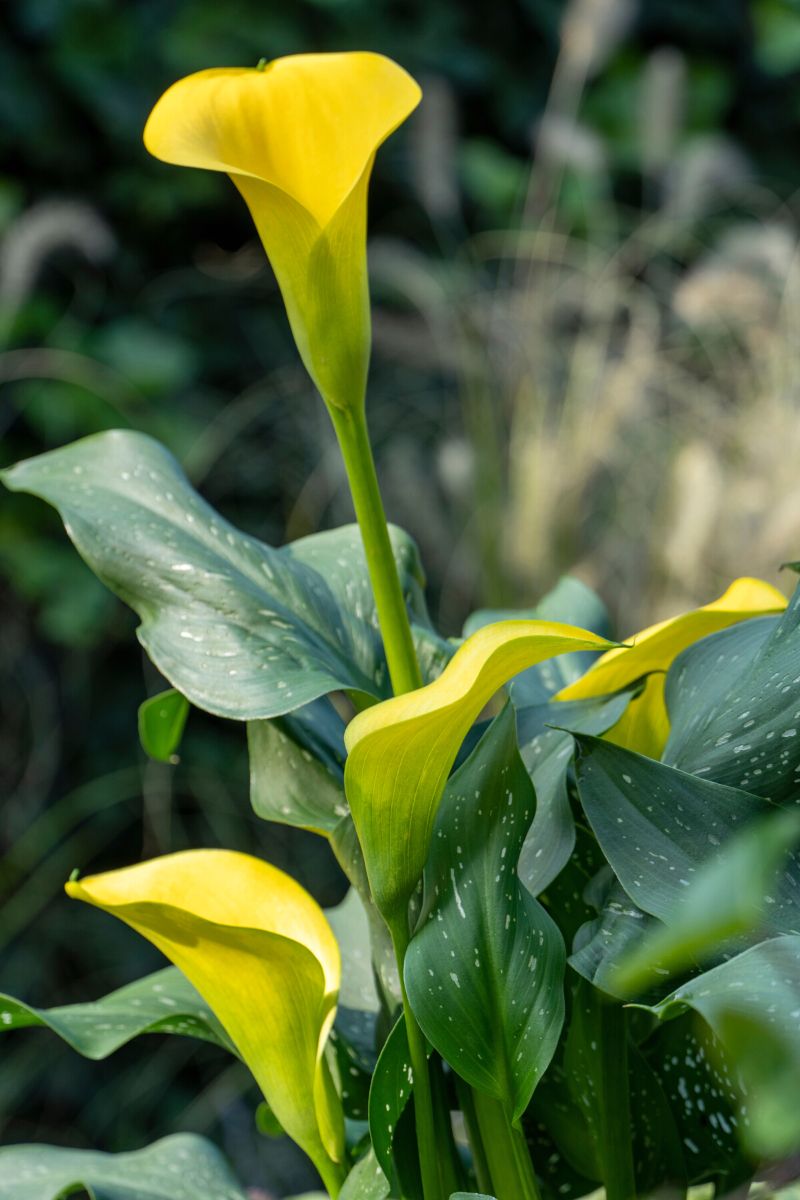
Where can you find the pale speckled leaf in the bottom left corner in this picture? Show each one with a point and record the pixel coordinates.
(179, 1168)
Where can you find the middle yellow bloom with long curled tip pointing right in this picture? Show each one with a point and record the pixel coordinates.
(401, 752)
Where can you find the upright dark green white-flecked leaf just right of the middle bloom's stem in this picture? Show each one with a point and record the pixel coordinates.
(485, 970)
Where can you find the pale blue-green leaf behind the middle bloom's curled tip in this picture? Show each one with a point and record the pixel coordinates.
(570, 602)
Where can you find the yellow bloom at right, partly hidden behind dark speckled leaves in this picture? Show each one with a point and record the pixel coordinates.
(645, 727)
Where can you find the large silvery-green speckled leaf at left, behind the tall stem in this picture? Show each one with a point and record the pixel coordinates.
(240, 629)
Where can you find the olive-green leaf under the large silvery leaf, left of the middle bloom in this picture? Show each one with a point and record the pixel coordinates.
(297, 769)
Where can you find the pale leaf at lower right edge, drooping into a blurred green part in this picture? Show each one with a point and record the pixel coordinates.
(753, 1006)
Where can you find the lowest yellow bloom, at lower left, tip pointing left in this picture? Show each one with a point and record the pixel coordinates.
(263, 957)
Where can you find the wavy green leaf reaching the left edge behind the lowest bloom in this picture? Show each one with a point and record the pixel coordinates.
(165, 1003)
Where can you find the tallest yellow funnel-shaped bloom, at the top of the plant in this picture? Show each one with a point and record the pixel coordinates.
(299, 137)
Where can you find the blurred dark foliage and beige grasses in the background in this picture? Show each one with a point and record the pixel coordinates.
(587, 364)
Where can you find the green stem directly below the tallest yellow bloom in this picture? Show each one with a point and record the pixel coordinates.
(357, 452)
